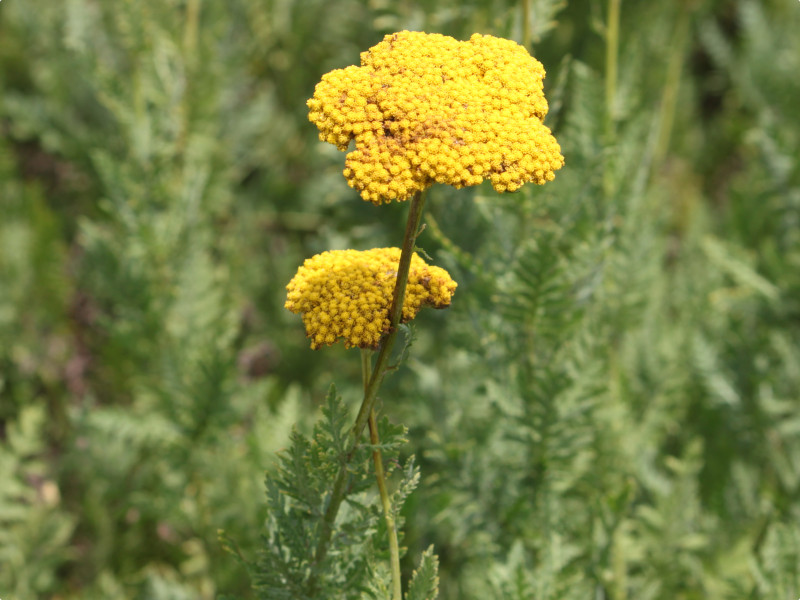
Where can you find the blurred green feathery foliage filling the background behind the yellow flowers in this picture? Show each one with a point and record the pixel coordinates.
(609, 408)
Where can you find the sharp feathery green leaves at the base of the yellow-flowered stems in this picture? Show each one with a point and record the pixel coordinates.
(297, 498)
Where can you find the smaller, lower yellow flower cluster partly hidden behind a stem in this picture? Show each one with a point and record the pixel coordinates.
(348, 293)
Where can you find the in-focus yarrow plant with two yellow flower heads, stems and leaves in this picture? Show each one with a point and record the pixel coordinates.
(422, 109)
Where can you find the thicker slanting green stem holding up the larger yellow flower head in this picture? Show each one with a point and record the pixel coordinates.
(379, 370)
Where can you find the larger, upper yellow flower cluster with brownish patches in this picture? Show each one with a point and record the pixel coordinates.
(425, 108)
